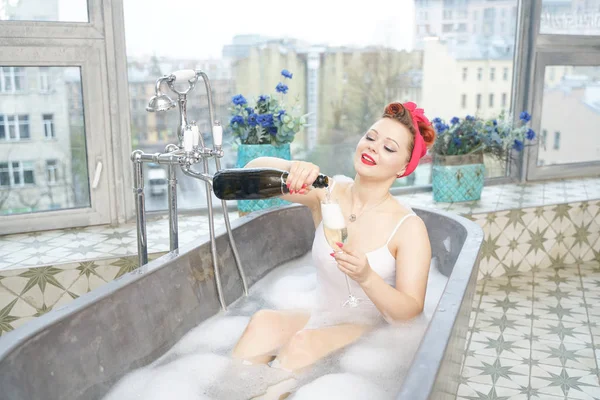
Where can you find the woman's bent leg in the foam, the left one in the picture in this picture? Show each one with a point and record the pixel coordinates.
(266, 332)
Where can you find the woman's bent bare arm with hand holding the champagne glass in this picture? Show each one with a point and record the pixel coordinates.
(413, 259)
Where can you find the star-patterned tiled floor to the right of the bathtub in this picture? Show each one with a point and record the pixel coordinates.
(535, 335)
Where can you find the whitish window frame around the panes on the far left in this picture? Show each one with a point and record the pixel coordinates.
(98, 49)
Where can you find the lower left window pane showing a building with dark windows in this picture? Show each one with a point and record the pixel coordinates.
(34, 113)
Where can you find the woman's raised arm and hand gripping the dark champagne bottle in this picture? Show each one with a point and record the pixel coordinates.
(301, 175)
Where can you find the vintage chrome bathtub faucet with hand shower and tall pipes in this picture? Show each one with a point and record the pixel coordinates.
(189, 150)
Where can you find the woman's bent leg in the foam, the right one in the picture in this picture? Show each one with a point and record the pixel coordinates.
(308, 346)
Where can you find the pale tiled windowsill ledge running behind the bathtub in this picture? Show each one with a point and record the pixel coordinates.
(97, 242)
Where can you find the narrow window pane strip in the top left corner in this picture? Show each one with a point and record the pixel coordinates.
(44, 10)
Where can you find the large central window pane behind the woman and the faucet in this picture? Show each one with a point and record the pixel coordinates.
(342, 77)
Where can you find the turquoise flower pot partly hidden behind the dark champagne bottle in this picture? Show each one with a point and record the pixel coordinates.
(247, 153)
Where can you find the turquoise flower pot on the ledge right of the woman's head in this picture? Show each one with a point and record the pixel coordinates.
(458, 178)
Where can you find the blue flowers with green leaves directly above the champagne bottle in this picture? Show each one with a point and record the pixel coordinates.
(269, 120)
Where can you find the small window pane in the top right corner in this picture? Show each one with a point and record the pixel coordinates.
(570, 17)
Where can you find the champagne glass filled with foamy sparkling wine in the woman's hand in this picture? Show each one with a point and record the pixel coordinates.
(334, 226)
